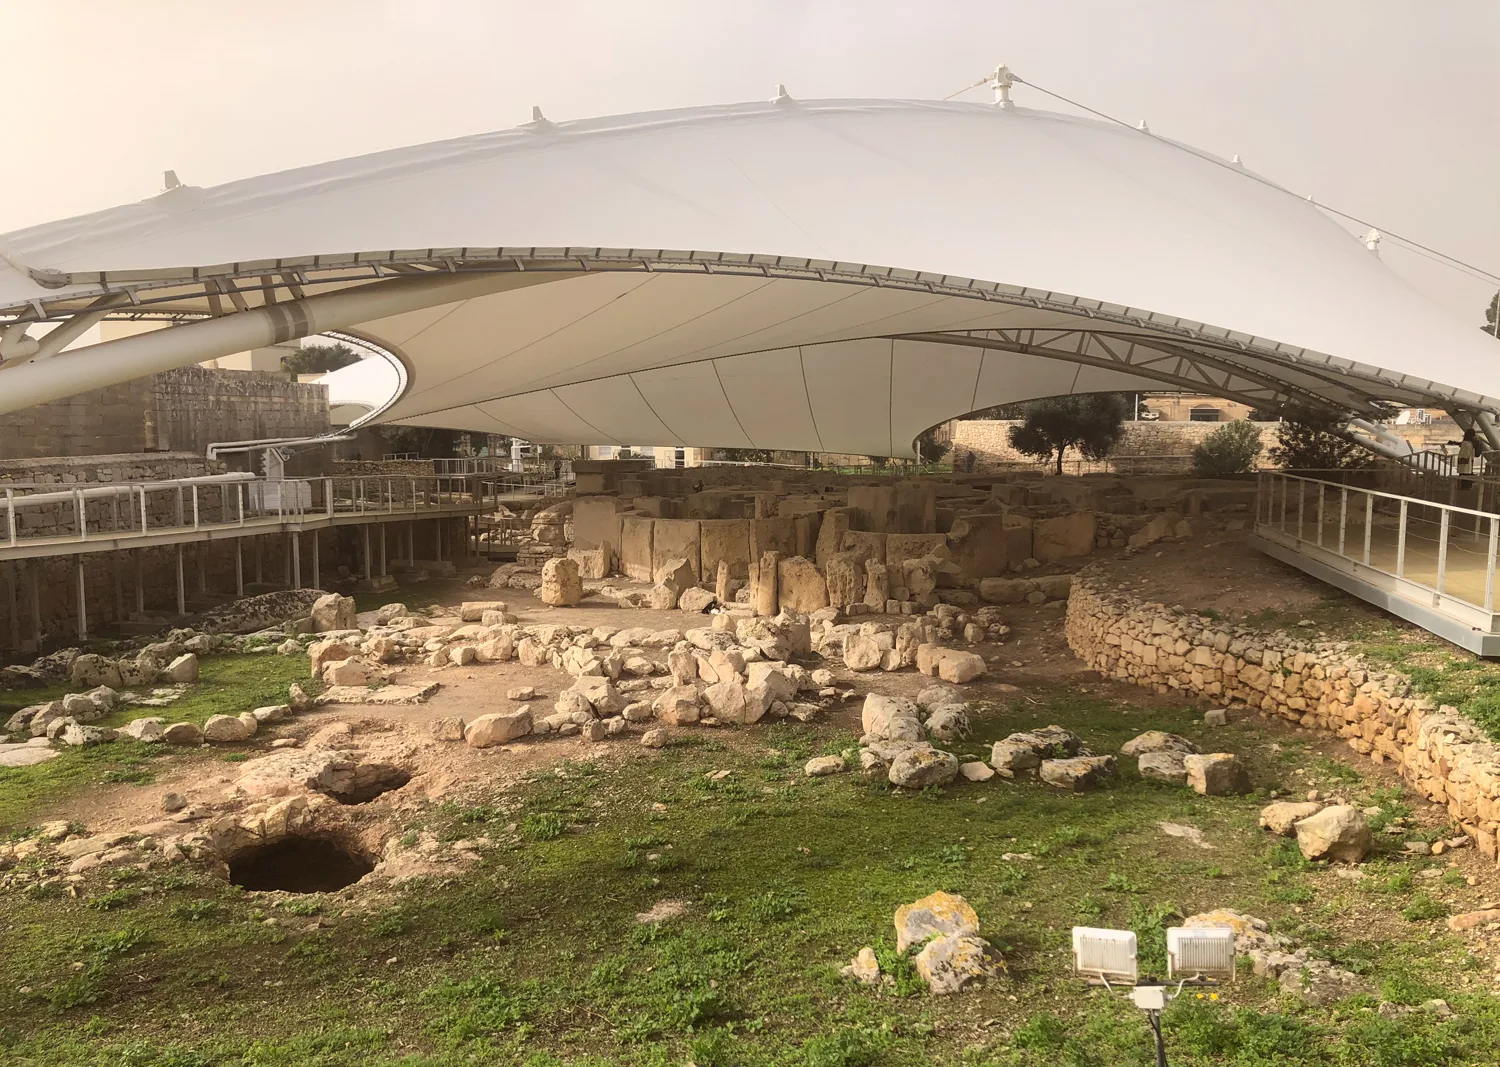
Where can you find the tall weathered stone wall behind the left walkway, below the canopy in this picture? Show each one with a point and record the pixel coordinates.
(182, 410)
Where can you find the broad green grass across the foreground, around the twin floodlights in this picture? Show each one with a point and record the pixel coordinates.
(536, 957)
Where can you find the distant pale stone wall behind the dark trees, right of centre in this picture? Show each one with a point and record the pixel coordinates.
(989, 442)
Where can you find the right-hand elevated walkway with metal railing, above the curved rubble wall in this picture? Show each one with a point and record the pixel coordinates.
(1429, 562)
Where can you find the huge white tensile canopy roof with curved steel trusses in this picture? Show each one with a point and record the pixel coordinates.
(832, 275)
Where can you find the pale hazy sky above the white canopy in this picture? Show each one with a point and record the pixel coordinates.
(1382, 109)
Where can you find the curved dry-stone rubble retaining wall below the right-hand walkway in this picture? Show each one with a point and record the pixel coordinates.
(1321, 687)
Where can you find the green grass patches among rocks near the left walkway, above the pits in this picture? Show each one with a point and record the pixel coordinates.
(229, 685)
